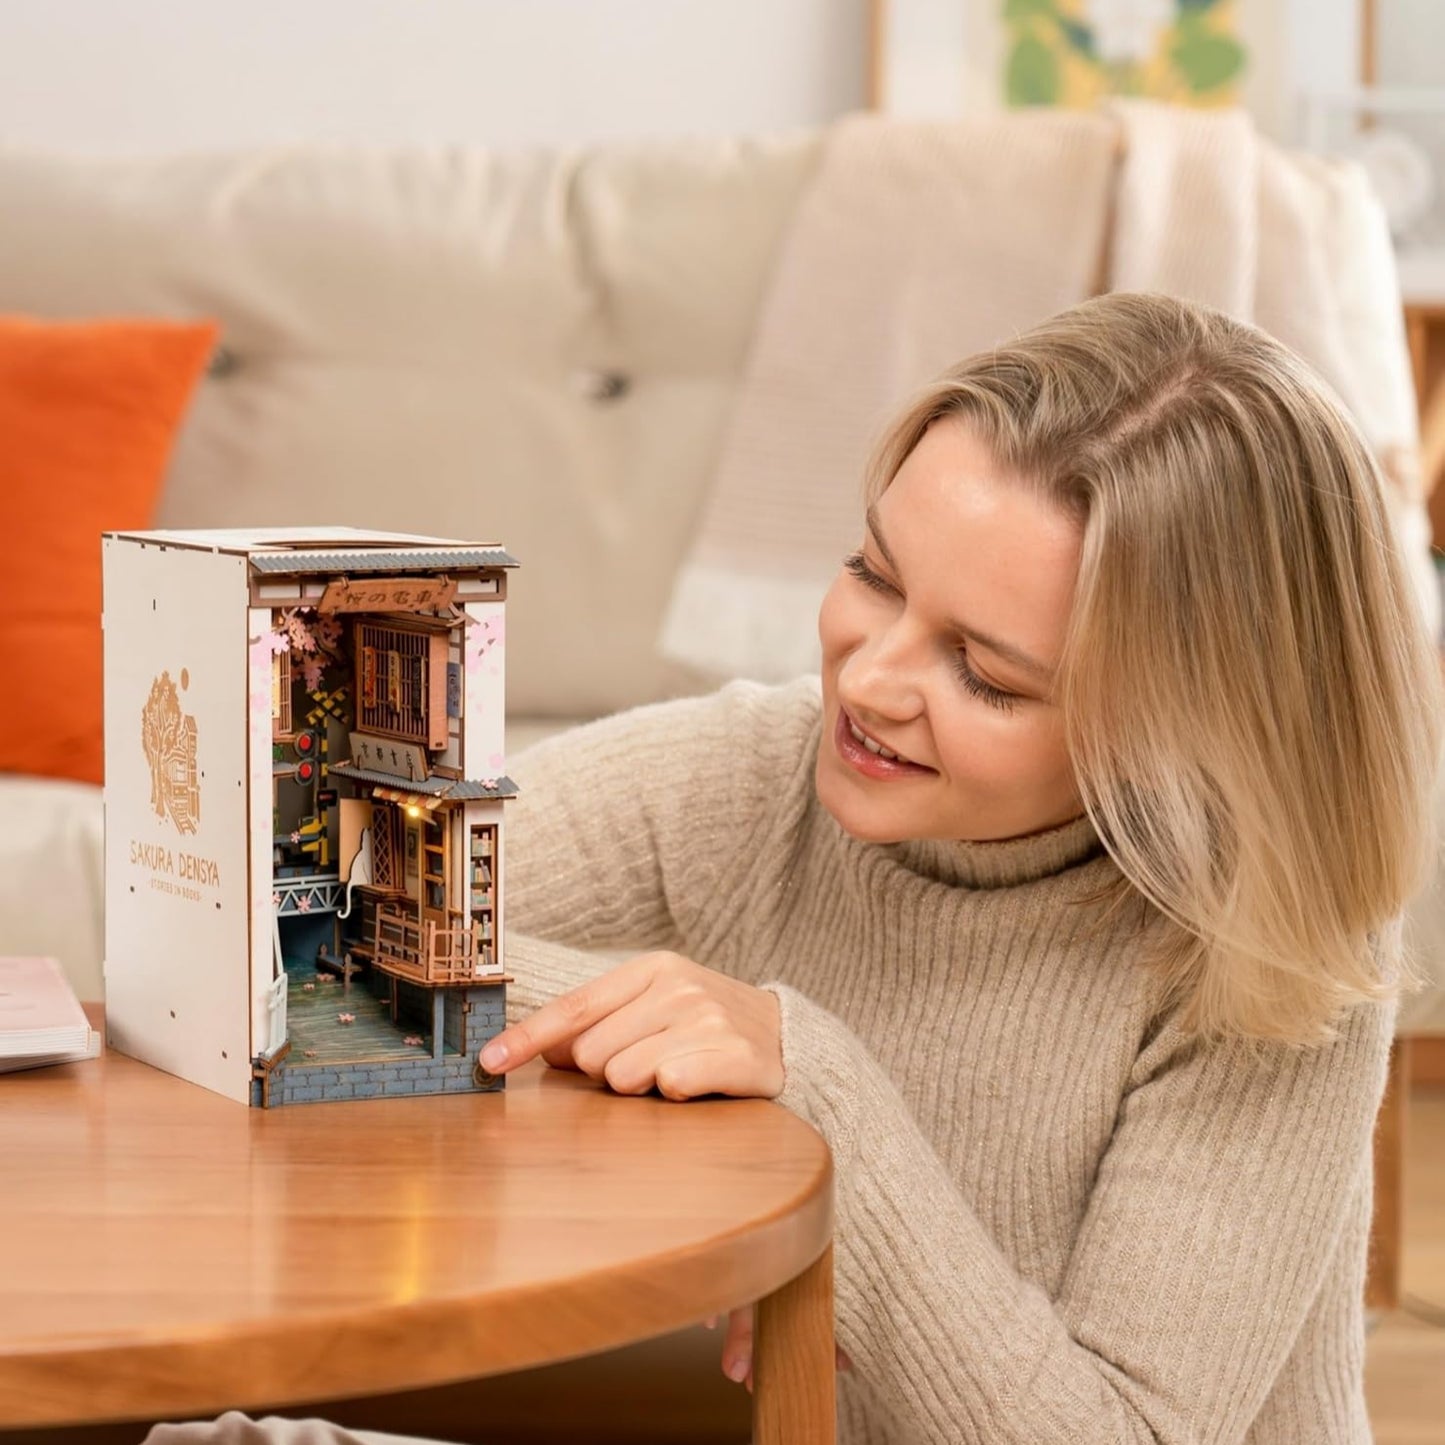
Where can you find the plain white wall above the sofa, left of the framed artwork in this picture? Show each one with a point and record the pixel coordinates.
(135, 77)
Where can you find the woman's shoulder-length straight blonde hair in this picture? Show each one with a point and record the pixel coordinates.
(1251, 700)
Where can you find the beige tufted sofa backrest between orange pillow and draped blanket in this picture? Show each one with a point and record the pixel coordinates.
(530, 349)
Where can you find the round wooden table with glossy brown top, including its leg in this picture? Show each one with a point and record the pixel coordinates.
(171, 1254)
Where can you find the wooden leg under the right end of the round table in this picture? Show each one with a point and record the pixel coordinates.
(794, 1362)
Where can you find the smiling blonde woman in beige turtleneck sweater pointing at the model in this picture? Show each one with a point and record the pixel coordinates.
(1066, 911)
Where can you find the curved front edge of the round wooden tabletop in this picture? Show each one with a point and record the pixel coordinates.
(326, 1358)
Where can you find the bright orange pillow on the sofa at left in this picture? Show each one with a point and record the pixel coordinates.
(89, 413)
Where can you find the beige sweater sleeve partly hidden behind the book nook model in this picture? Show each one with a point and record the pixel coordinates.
(635, 833)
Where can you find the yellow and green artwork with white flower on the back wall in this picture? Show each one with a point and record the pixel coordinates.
(1076, 53)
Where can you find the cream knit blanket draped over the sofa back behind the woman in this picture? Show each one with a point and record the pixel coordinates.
(921, 243)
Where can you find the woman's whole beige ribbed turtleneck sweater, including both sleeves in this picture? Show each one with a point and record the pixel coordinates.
(1058, 1220)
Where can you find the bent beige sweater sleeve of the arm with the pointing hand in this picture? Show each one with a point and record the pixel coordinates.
(1213, 1219)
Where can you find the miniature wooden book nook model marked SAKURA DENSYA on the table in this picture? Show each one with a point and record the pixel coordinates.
(304, 810)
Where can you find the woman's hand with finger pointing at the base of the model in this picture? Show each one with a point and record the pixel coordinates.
(661, 1022)
